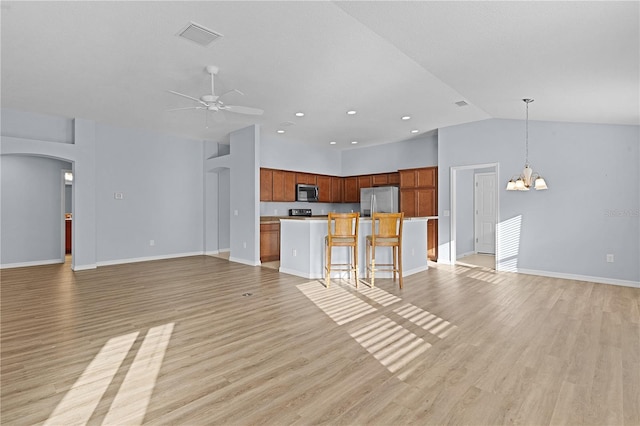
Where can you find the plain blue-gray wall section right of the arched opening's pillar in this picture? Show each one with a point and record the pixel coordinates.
(161, 179)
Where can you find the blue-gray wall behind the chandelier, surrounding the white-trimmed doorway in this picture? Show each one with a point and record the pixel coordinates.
(590, 210)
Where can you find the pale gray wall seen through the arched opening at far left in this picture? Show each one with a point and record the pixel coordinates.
(32, 220)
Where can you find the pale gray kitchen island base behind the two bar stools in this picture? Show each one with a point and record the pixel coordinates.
(302, 248)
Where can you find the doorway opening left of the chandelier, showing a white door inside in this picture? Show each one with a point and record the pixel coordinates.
(474, 215)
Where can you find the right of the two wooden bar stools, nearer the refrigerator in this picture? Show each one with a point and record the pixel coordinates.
(386, 231)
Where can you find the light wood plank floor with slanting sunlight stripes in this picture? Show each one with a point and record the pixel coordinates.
(201, 340)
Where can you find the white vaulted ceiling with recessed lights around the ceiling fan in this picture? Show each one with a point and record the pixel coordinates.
(114, 62)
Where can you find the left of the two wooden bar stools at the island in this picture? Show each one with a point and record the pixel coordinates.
(342, 231)
